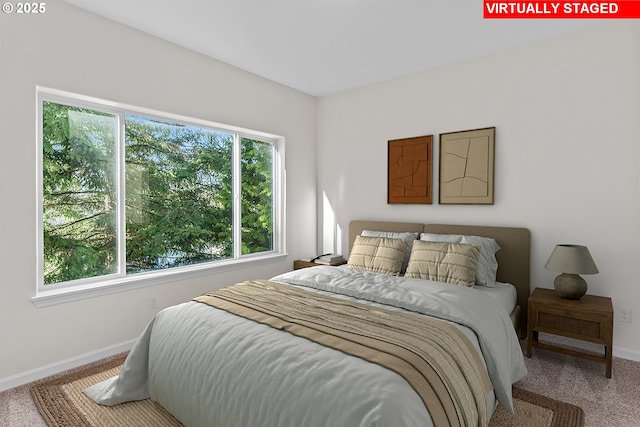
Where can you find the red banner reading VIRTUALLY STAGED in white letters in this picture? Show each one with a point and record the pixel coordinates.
(623, 9)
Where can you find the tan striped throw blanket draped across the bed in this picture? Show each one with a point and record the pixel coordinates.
(435, 357)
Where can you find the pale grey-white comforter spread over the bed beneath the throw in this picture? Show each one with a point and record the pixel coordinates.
(210, 368)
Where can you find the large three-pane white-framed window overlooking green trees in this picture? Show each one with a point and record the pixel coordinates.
(128, 192)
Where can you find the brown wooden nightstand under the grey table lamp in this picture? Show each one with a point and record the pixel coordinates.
(588, 319)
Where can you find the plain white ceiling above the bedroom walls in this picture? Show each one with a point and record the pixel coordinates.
(322, 47)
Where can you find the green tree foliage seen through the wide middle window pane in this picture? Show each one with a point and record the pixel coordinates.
(179, 184)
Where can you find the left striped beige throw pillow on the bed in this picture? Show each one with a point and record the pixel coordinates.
(378, 254)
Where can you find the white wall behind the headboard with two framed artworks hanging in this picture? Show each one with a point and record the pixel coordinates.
(567, 118)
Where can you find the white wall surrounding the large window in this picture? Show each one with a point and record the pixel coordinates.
(70, 49)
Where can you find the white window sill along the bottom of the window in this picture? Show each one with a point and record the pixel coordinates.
(75, 293)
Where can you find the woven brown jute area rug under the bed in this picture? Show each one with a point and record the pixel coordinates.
(62, 403)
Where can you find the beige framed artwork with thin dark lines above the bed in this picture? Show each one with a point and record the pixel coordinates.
(466, 170)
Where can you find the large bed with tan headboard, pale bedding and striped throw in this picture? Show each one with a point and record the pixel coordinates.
(339, 346)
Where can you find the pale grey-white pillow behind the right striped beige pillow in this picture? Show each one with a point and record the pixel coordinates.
(487, 263)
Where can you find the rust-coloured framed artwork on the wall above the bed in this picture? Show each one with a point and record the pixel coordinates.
(409, 170)
